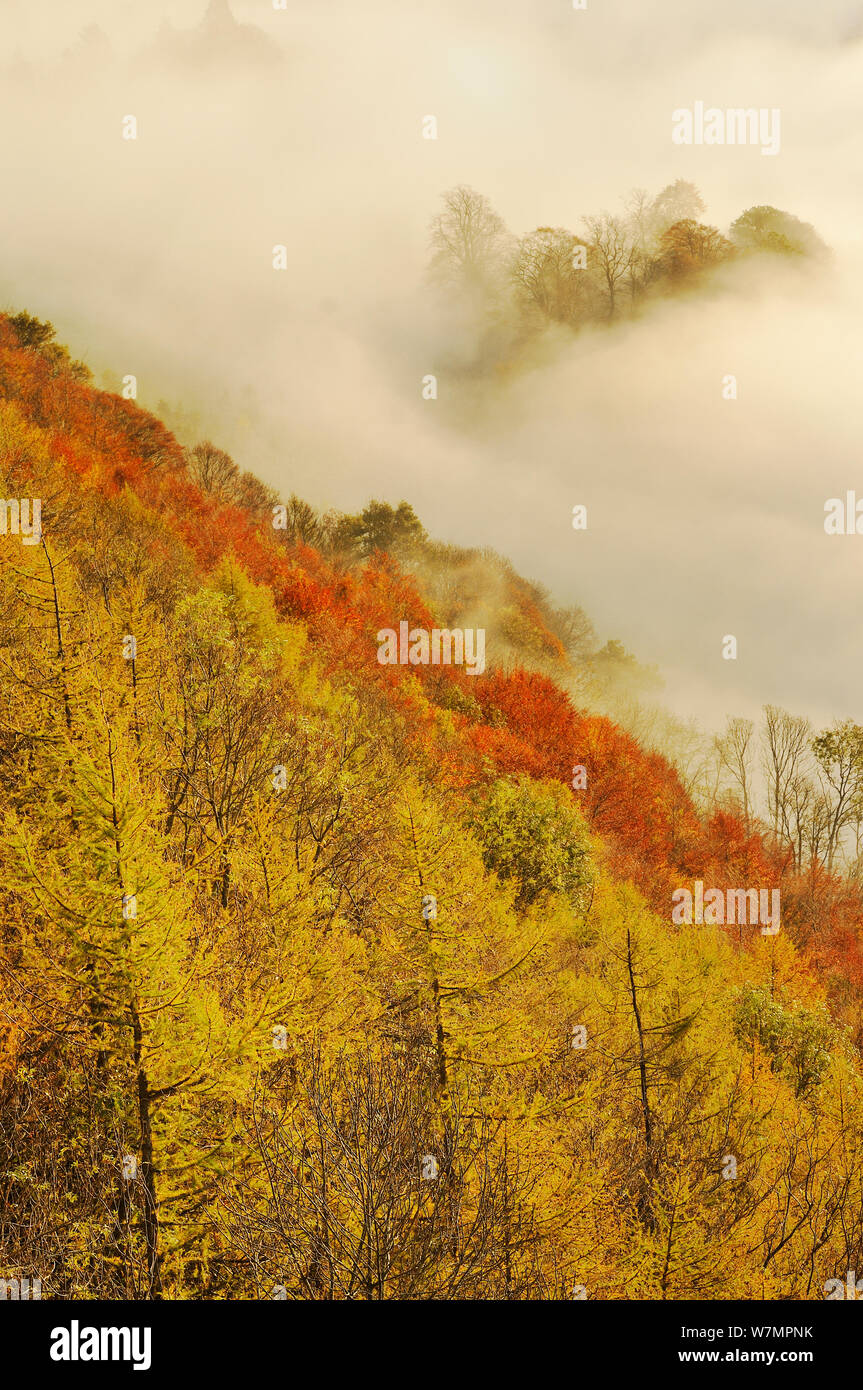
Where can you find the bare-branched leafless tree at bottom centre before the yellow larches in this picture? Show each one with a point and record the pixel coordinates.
(372, 1192)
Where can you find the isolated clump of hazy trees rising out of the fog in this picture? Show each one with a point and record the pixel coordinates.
(657, 245)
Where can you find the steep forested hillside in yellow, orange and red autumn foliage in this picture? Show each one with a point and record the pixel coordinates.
(330, 979)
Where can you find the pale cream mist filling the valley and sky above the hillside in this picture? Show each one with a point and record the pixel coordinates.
(705, 516)
